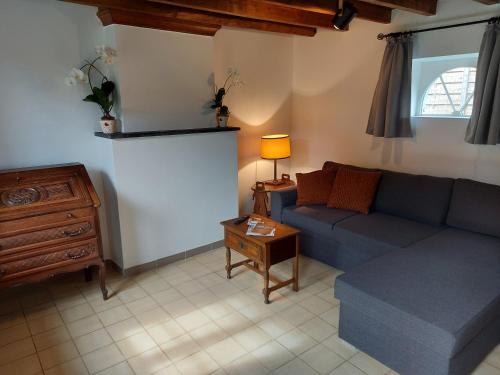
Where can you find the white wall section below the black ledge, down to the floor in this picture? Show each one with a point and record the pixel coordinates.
(173, 192)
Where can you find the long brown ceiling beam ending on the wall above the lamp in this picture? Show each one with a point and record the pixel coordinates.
(192, 15)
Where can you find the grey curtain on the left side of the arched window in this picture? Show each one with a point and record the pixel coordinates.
(391, 106)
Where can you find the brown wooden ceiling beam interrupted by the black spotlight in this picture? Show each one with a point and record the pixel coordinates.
(262, 10)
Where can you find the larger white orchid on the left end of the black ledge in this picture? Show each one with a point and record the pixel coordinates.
(103, 95)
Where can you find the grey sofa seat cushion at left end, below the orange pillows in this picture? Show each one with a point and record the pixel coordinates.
(314, 219)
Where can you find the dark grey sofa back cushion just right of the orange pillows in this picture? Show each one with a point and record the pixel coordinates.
(421, 198)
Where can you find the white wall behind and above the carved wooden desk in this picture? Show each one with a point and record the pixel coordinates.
(42, 121)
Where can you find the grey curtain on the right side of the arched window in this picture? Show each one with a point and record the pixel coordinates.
(484, 124)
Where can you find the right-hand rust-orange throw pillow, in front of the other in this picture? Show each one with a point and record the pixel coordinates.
(354, 190)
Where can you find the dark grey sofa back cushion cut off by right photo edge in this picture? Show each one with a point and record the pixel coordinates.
(475, 206)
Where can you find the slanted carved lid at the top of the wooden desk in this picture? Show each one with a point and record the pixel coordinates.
(29, 194)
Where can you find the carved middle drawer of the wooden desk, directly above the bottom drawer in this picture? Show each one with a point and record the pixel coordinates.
(46, 237)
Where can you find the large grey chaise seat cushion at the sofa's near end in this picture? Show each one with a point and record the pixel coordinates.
(441, 291)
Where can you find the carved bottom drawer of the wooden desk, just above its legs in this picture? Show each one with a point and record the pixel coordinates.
(48, 258)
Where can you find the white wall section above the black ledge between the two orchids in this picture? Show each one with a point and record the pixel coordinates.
(163, 78)
